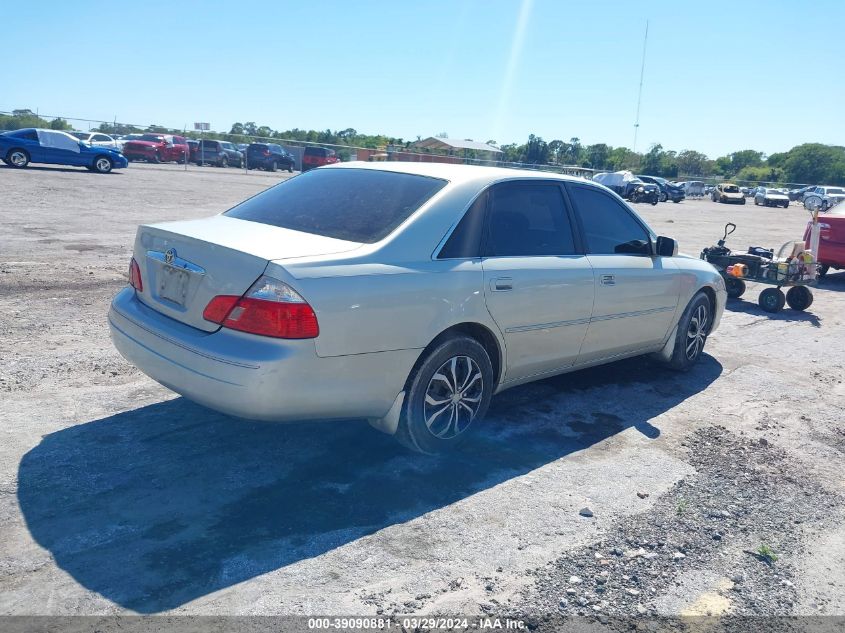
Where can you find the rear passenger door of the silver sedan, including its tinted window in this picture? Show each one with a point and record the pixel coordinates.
(538, 285)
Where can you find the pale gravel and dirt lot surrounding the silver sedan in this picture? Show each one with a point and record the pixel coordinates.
(118, 497)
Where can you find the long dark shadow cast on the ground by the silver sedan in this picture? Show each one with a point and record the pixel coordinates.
(154, 507)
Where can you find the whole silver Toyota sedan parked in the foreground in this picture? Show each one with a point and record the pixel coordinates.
(406, 294)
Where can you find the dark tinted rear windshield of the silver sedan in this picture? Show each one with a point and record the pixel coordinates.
(358, 205)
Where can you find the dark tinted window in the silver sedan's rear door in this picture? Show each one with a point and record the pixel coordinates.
(528, 219)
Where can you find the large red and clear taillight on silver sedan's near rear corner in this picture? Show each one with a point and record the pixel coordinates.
(269, 308)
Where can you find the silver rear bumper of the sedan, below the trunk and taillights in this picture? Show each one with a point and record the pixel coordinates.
(255, 377)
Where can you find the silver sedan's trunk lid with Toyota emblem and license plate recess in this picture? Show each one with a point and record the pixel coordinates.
(186, 264)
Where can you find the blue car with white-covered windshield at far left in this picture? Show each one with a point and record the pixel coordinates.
(19, 148)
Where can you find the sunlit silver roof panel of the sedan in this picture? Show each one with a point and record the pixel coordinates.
(456, 173)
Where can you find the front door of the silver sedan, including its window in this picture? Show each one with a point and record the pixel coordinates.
(636, 292)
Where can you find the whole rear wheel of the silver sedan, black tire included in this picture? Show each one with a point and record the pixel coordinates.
(448, 393)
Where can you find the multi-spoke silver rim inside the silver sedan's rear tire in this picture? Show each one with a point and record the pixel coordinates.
(453, 397)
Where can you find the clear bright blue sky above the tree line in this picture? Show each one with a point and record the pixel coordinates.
(719, 76)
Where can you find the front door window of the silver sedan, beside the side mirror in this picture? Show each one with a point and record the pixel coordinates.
(609, 227)
